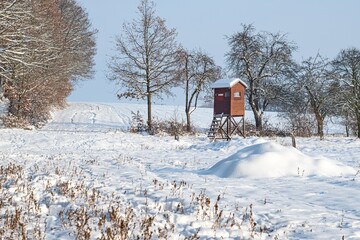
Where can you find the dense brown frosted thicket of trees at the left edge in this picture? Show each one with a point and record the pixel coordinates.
(45, 47)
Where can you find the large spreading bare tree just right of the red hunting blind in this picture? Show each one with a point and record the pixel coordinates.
(261, 59)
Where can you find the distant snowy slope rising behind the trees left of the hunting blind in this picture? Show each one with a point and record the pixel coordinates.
(101, 116)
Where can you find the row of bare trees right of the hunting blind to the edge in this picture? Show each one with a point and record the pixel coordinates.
(304, 92)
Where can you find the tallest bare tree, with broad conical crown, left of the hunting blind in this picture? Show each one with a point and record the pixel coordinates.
(147, 60)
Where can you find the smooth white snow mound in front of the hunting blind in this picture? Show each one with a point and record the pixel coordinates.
(266, 160)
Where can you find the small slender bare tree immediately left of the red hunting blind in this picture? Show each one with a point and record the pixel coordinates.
(199, 71)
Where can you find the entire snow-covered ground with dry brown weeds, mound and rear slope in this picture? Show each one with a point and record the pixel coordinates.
(84, 176)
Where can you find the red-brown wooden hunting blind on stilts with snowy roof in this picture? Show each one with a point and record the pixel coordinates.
(229, 109)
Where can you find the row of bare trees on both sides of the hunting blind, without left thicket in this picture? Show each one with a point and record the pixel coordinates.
(149, 62)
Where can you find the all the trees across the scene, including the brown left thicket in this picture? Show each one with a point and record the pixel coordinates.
(47, 46)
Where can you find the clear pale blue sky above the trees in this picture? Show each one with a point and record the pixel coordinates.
(324, 26)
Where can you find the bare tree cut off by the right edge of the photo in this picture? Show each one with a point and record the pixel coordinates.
(347, 71)
